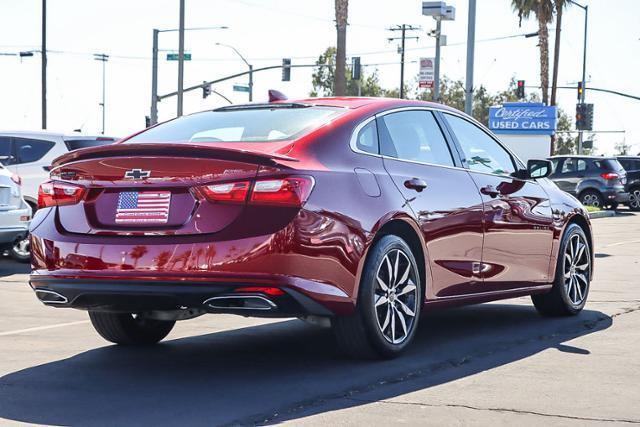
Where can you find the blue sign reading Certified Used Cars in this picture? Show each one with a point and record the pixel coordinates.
(523, 117)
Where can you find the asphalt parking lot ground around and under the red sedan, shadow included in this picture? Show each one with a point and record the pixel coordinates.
(496, 363)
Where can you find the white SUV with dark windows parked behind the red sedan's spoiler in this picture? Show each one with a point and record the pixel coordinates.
(29, 155)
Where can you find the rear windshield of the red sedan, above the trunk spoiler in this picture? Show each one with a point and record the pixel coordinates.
(240, 125)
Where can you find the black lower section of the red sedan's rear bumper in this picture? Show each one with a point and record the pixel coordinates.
(146, 295)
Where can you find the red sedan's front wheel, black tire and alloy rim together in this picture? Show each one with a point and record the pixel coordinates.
(570, 288)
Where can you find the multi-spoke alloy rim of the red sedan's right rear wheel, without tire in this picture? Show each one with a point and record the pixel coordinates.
(396, 296)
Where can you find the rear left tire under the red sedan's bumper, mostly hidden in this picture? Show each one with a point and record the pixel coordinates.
(128, 329)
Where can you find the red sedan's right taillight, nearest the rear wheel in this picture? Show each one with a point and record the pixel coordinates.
(290, 191)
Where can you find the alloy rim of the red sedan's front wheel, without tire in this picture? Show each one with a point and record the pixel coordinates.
(576, 269)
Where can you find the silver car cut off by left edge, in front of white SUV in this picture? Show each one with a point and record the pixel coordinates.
(15, 215)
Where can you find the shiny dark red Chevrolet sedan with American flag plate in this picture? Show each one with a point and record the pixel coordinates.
(353, 212)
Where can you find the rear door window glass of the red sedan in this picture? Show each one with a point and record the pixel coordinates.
(416, 136)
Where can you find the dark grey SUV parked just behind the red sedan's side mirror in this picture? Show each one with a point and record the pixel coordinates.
(595, 181)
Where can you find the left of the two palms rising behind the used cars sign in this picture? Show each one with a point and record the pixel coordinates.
(543, 9)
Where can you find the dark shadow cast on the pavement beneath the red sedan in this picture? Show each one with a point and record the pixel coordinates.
(248, 375)
